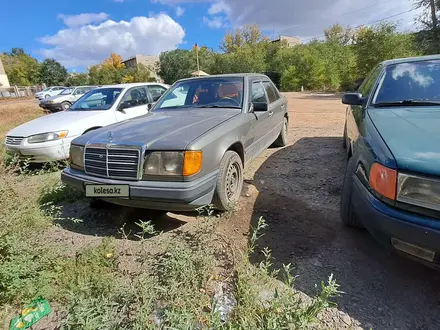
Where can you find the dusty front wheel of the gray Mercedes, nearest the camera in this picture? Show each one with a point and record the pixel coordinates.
(229, 182)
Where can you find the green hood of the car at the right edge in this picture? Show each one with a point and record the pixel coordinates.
(411, 134)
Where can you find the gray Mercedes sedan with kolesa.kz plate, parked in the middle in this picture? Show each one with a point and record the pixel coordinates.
(189, 151)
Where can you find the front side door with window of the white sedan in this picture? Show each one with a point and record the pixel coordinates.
(134, 103)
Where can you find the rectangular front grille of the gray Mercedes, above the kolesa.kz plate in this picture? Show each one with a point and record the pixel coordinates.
(113, 162)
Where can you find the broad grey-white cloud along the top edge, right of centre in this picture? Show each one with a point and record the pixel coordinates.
(309, 18)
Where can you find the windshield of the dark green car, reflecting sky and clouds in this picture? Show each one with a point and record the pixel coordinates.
(412, 81)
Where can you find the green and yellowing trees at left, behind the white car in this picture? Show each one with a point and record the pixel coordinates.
(24, 70)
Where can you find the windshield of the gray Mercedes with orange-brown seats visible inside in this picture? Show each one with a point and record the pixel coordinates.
(204, 93)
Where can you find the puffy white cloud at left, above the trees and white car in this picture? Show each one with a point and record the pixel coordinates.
(91, 44)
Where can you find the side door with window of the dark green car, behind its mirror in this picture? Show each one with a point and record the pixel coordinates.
(356, 113)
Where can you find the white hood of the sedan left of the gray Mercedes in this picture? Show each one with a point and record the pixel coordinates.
(65, 120)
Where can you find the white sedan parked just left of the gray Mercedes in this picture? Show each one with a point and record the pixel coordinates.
(48, 138)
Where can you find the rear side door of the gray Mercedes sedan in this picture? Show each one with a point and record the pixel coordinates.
(276, 110)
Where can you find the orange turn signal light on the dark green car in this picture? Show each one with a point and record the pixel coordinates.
(383, 180)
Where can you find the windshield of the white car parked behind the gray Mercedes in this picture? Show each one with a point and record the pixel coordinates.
(97, 99)
